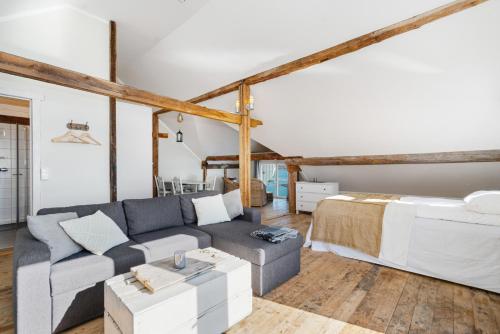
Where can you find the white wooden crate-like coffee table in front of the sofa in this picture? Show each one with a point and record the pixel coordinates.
(209, 303)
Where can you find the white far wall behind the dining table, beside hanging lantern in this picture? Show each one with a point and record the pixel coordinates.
(176, 159)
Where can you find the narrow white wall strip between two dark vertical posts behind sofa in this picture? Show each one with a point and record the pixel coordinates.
(134, 152)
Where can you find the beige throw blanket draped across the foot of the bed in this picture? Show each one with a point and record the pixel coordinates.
(352, 220)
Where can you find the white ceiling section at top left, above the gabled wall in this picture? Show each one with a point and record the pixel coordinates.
(141, 24)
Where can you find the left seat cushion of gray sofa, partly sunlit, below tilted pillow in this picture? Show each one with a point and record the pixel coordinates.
(84, 269)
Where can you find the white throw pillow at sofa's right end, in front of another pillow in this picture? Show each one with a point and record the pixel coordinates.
(210, 210)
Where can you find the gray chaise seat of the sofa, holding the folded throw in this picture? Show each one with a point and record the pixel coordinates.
(234, 238)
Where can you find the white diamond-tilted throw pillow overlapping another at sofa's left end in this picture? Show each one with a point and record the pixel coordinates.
(96, 233)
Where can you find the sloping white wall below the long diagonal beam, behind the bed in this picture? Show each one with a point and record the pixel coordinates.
(434, 89)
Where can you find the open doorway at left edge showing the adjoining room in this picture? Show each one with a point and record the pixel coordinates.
(15, 167)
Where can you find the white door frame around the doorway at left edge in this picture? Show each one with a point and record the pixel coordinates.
(35, 132)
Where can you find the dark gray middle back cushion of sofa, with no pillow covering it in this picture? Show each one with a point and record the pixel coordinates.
(152, 214)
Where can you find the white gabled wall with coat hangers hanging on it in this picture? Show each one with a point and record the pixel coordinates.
(78, 173)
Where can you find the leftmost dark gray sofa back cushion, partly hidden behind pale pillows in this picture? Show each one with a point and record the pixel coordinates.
(112, 210)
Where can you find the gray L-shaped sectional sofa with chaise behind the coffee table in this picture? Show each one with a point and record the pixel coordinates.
(51, 298)
